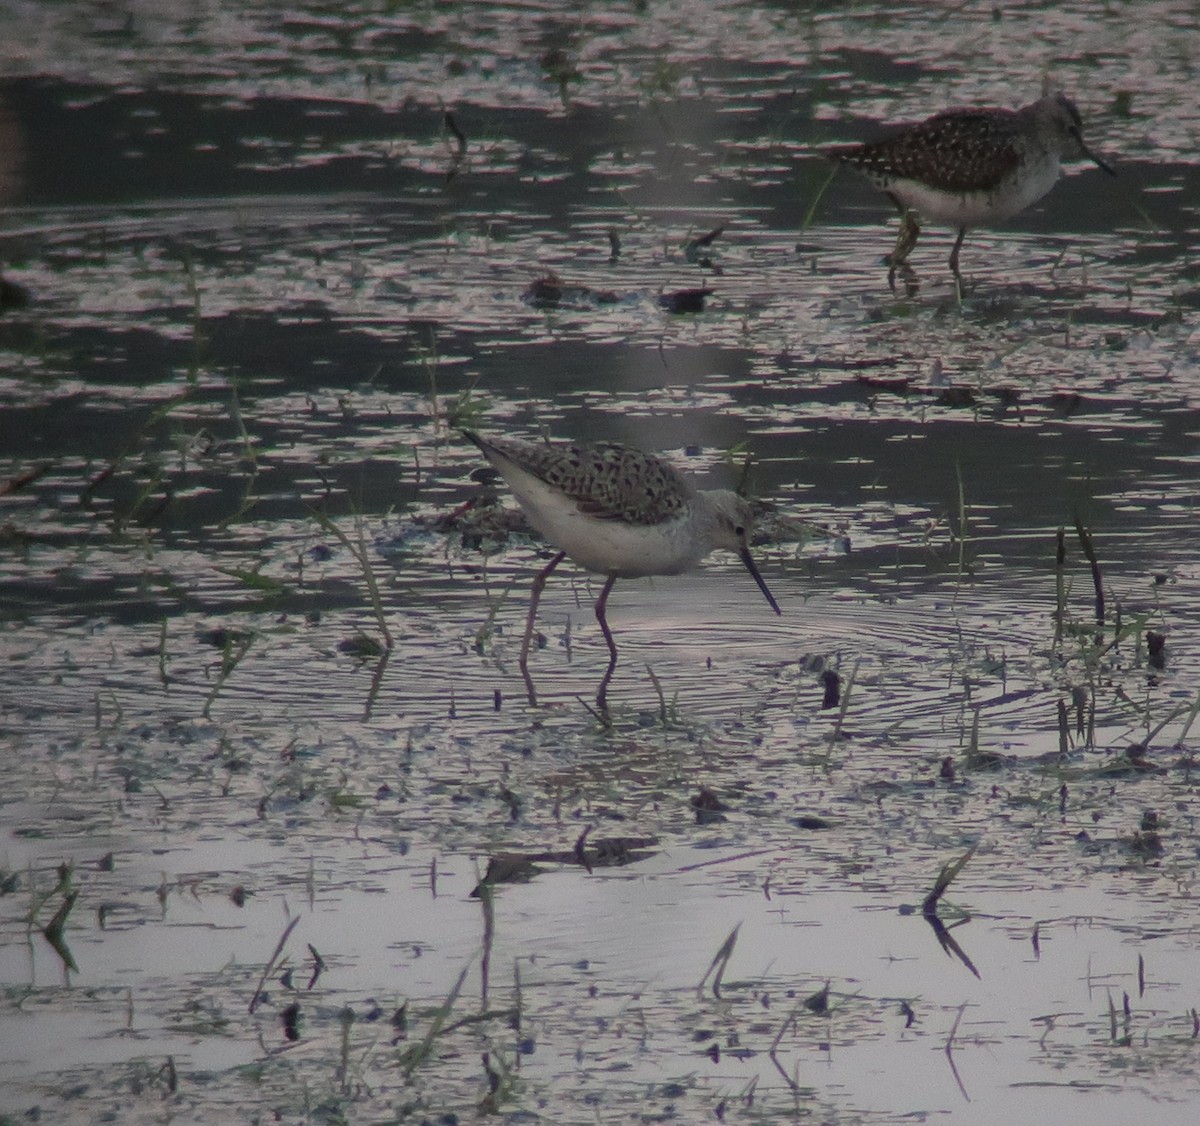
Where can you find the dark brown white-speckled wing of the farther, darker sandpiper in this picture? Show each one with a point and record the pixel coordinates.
(961, 151)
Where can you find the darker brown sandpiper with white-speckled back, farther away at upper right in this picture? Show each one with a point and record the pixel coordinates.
(971, 167)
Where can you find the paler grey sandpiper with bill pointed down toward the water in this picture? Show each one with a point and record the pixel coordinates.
(620, 513)
